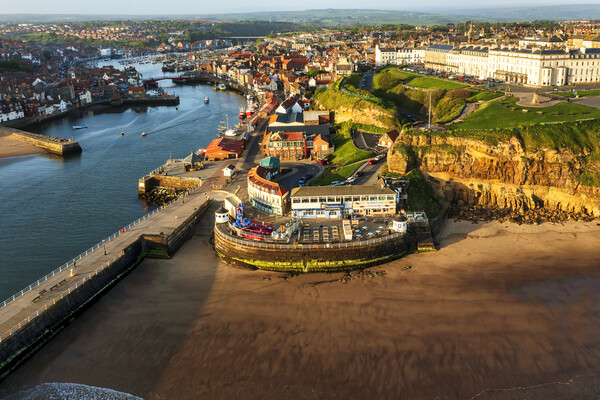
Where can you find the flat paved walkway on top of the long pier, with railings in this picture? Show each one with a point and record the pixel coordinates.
(24, 308)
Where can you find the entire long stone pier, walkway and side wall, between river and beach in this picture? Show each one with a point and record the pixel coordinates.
(34, 315)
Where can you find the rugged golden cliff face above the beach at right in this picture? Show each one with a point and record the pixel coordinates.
(470, 172)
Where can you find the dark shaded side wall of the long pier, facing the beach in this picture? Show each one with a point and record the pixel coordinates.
(34, 331)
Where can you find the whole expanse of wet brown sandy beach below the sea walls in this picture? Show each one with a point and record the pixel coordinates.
(498, 307)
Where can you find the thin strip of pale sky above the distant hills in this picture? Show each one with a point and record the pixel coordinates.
(140, 7)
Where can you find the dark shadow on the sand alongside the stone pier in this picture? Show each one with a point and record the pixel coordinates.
(126, 339)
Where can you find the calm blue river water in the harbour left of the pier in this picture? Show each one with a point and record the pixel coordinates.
(53, 209)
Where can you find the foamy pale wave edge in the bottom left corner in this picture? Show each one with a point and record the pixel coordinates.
(70, 391)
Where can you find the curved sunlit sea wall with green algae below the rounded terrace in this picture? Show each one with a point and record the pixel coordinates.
(310, 257)
